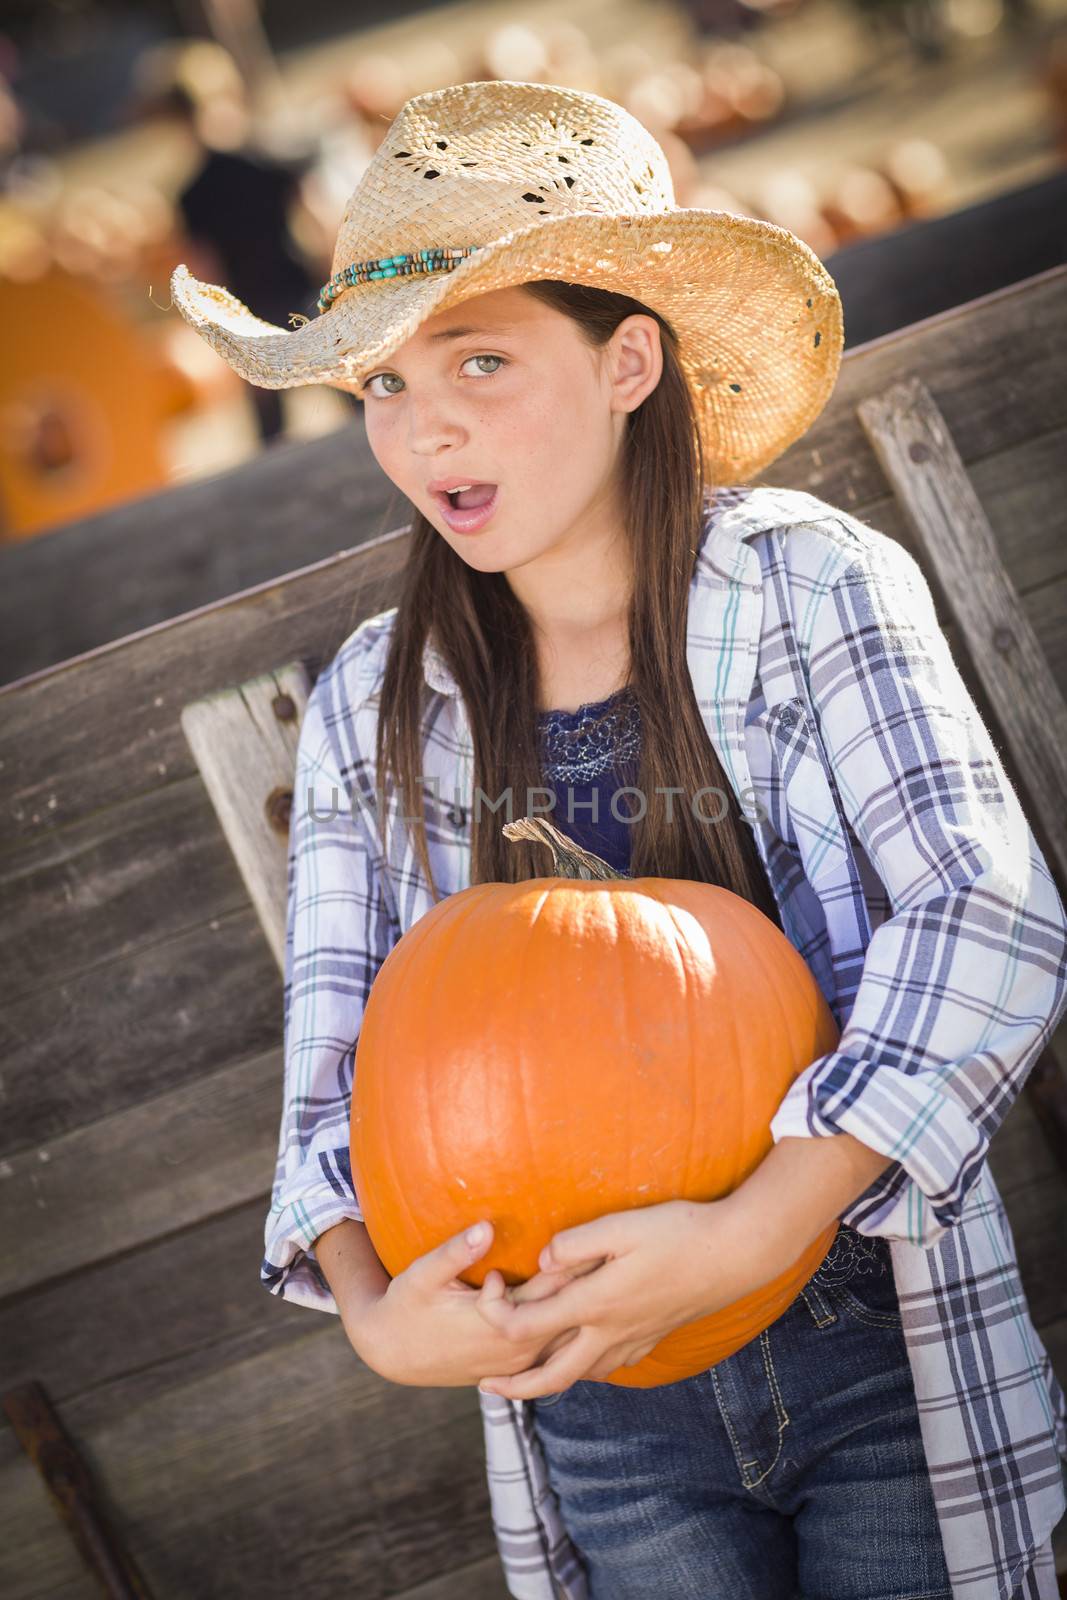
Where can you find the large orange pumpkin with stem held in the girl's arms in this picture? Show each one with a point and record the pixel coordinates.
(548, 1052)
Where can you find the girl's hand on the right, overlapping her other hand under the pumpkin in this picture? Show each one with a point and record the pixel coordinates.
(625, 1281)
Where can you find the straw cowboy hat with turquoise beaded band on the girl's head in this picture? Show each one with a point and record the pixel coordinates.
(482, 186)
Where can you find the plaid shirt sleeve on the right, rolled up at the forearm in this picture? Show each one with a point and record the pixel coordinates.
(967, 978)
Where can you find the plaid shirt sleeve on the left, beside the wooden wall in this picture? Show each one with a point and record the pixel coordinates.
(338, 935)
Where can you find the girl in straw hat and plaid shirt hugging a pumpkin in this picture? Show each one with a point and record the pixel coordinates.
(573, 382)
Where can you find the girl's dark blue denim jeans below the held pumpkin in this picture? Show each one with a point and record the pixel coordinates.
(793, 1470)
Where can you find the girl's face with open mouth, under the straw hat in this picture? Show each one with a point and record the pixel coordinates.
(506, 391)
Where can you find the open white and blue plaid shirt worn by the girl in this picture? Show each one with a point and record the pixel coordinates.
(909, 881)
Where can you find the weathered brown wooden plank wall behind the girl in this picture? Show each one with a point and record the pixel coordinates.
(244, 1447)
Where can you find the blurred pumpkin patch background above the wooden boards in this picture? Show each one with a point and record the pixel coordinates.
(230, 135)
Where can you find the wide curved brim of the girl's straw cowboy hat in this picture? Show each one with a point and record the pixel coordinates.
(757, 314)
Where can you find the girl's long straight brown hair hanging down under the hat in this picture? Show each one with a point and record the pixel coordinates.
(484, 634)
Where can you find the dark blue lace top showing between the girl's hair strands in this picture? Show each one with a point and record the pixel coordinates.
(586, 756)
